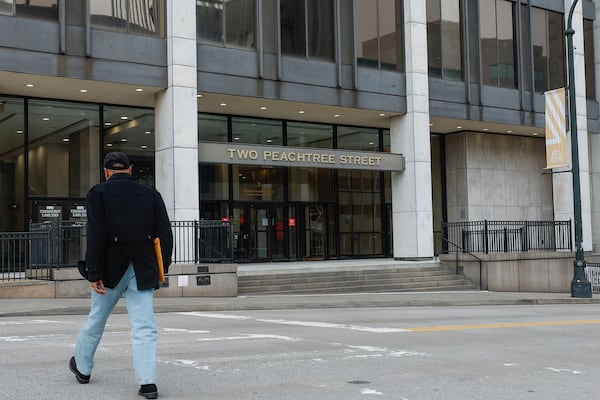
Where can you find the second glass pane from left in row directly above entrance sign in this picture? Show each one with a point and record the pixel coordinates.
(257, 131)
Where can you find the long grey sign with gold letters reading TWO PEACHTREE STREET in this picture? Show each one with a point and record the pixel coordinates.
(231, 153)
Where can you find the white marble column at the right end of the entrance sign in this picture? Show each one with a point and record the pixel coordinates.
(412, 209)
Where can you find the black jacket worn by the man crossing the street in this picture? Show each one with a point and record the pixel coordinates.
(123, 218)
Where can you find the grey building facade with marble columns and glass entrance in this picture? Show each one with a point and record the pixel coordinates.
(322, 129)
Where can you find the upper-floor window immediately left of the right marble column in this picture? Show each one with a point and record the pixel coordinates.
(379, 34)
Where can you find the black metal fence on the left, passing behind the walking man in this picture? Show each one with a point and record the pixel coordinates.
(33, 254)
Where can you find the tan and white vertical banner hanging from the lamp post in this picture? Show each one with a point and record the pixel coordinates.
(556, 137)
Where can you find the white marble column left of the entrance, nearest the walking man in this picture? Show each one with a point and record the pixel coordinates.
(177, 116)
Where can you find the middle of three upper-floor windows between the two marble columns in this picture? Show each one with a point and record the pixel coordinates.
(307, 28)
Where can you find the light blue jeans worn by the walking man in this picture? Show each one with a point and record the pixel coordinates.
(140, 307)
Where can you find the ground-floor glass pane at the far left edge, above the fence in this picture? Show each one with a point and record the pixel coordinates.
(12, 164)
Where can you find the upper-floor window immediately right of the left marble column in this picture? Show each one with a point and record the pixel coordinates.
(227, 23)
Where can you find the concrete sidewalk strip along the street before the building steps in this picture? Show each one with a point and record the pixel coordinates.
(44, 307)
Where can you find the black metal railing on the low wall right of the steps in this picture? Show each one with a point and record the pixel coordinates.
(506, 236)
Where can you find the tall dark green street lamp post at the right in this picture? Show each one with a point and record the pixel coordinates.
(580, 285)
